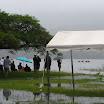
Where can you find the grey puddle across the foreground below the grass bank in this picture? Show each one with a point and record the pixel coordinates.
(25, 97)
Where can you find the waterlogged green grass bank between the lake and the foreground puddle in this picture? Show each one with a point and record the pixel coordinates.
(28, 81)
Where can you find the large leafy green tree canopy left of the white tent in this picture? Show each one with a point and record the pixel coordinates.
(21, 32)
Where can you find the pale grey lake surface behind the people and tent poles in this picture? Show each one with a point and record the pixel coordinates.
(80, 65)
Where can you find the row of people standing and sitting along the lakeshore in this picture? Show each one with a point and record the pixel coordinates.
(6, 63)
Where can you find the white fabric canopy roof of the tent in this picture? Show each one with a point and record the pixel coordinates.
(77, 40)
